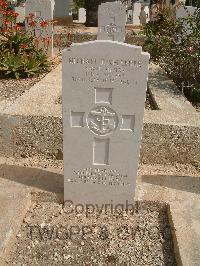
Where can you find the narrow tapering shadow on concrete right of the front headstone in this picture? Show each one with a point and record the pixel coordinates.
(184, 183)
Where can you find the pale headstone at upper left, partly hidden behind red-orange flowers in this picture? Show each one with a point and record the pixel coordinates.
(42, 10)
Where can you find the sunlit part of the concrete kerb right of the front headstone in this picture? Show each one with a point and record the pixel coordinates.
(184, 217)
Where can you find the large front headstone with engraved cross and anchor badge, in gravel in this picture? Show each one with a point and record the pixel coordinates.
(104, 88)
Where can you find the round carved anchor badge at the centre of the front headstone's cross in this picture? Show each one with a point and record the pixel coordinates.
(102, 120)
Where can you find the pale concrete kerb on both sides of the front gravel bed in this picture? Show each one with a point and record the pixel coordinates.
(182, 194)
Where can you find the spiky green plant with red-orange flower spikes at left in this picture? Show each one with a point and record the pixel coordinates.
(20, 53)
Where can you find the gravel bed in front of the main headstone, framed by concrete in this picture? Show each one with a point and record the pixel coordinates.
(51, 236)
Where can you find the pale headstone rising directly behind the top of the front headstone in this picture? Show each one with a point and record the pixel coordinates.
(111, 21)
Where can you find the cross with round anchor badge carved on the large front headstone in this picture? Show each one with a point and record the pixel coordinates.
(102, 120)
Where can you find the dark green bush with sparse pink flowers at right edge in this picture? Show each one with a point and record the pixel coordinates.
(175, 46)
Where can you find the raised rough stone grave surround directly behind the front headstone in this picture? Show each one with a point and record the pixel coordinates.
(170, 134)
